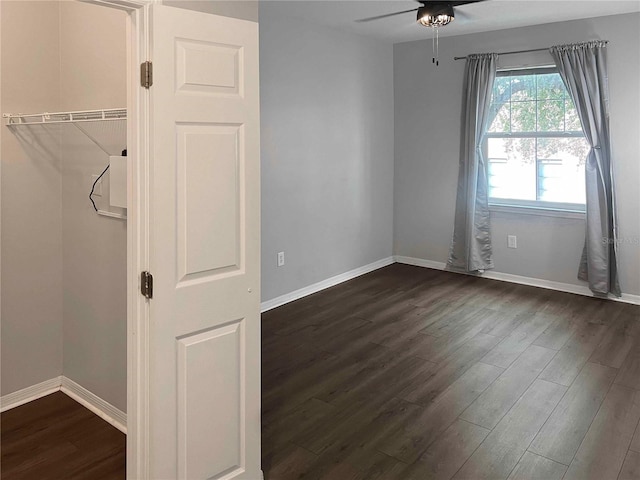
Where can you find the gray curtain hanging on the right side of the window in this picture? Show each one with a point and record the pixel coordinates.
(583, 69)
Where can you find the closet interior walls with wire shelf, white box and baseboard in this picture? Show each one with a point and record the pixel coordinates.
(63, 204)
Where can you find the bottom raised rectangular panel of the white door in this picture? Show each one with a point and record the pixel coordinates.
(210, 446)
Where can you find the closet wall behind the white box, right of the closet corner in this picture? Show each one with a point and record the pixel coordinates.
(93, 76)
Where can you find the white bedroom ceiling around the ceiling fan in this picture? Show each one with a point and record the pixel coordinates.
(483, 16)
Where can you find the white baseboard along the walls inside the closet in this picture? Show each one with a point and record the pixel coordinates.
(84, 397)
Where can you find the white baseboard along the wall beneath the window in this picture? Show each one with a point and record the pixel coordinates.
(534, 282)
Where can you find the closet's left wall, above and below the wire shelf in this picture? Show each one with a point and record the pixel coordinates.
(31, 199)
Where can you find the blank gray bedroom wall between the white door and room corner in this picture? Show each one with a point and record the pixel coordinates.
(327, 151)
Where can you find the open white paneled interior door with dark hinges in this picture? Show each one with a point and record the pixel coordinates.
(204, 377)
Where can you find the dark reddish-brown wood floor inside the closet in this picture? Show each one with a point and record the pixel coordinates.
(55, 438)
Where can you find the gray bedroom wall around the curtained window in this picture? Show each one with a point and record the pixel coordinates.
(427, 139)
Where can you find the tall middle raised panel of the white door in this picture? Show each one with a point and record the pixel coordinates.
(210, 192)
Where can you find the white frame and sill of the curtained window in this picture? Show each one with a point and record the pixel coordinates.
(541, 207)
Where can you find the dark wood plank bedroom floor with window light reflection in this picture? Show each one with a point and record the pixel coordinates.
(411, 373)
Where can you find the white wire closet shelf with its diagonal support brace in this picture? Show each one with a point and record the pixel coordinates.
(75, 118)
